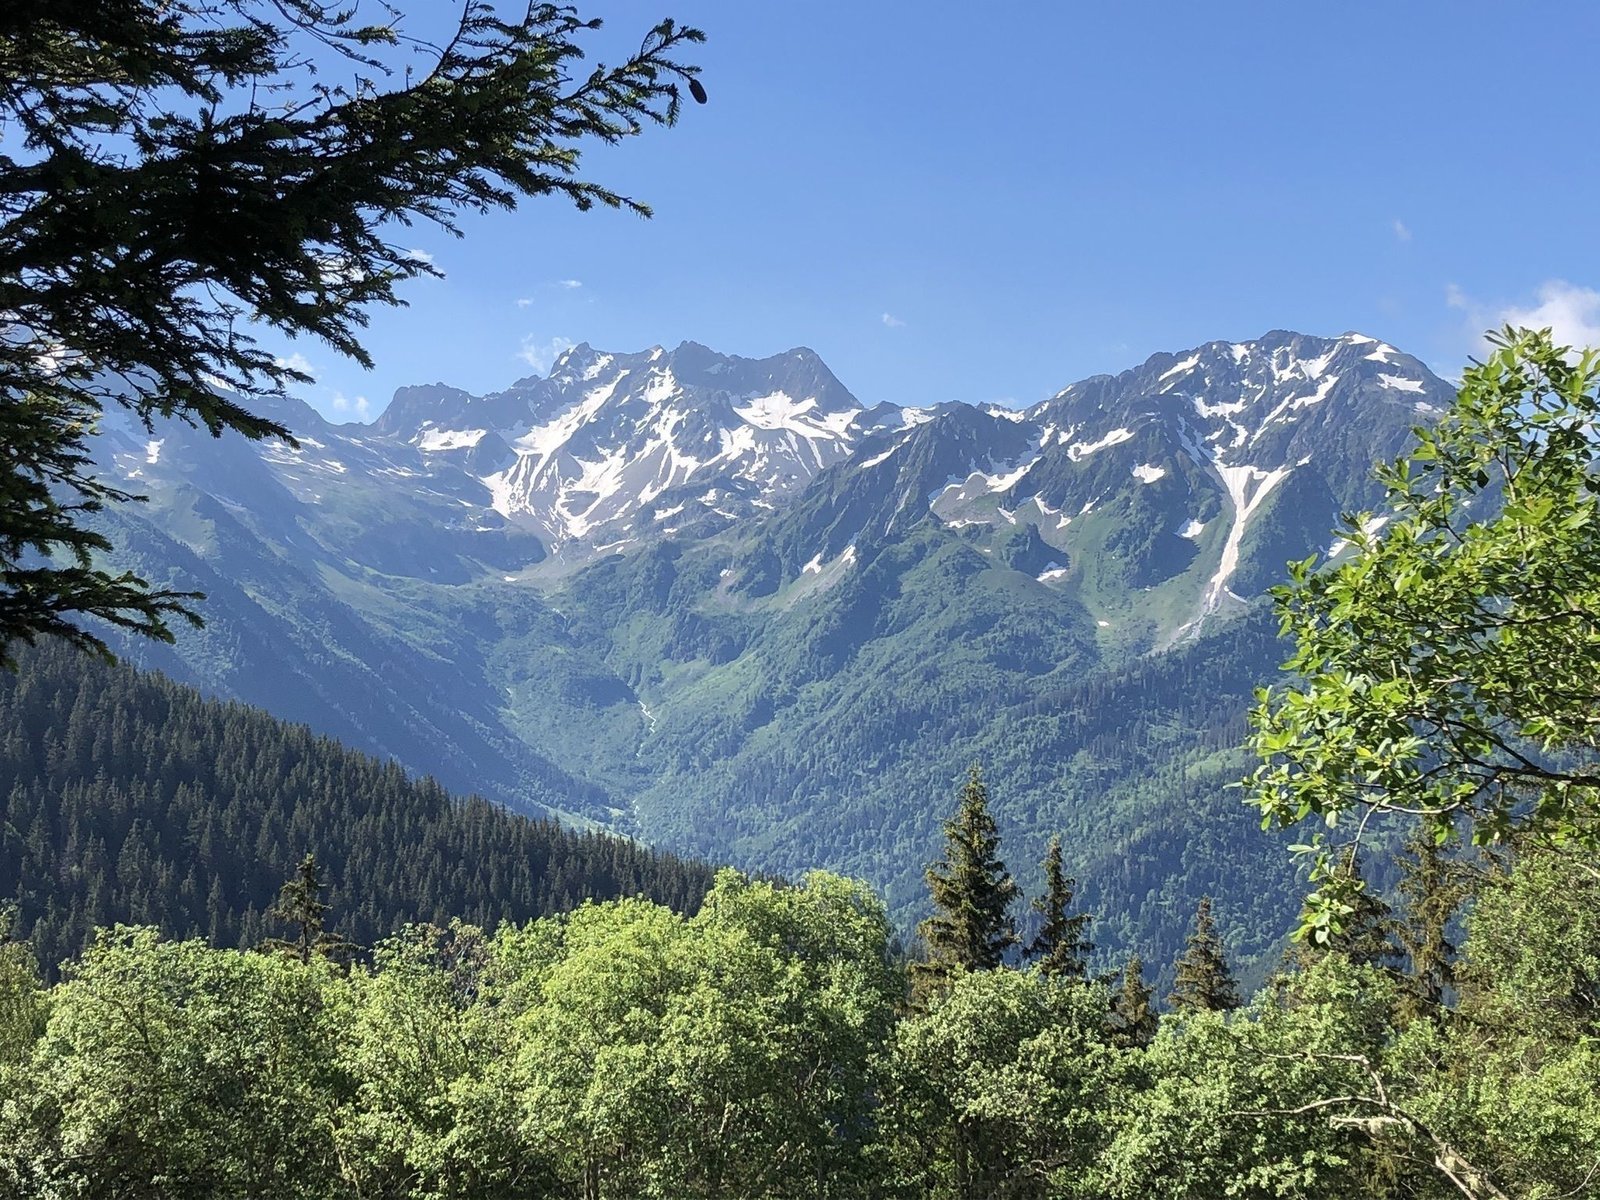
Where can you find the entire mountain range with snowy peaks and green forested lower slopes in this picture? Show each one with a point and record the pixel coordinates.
(722, 606)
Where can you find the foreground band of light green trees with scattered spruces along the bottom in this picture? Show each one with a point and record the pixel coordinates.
(772, 1046)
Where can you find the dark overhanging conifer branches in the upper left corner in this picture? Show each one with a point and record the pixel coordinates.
(119, 175)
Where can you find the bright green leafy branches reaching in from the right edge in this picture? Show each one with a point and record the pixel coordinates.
(1449, 666)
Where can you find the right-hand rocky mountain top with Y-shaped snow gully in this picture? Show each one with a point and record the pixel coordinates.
(1202, 473)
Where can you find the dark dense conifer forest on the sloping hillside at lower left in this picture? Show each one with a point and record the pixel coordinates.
(126, 798)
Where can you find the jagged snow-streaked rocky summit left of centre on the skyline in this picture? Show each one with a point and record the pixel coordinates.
(617, 447)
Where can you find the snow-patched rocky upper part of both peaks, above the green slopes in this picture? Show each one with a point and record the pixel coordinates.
(618, 449)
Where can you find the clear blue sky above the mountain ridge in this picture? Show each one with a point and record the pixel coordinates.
(986, 202)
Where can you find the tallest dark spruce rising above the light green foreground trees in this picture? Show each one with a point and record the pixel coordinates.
(972, 892)
